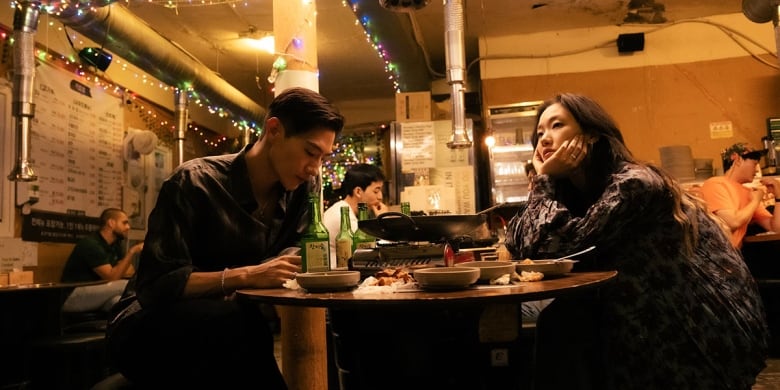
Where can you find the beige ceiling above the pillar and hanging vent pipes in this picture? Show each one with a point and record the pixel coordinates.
(350, 68)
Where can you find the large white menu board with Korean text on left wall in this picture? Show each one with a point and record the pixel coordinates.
(76, 144)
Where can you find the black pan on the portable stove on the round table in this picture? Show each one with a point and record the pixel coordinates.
(393, 226)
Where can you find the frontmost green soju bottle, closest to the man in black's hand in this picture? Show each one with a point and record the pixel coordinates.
(315, 245)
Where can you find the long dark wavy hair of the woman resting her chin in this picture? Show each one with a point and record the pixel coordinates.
(609, 152)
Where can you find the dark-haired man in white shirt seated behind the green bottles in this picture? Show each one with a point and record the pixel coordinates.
(362, 184)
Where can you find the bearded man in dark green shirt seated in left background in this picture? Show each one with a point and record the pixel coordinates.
(100, 256)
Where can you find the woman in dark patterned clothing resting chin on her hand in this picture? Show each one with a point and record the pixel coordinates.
(684, 311)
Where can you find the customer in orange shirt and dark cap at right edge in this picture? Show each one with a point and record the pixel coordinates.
(739, 206)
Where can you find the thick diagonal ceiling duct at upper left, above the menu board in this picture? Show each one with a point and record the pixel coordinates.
(126, 35)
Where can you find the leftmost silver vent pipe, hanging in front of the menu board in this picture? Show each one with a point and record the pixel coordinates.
(26, 16)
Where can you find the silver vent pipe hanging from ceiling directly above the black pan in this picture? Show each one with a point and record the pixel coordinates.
(456, 71)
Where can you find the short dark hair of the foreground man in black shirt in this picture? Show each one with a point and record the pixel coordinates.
(301, 109)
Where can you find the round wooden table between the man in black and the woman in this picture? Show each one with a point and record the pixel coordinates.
(430, 337)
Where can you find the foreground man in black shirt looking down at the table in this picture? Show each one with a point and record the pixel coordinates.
(222, 223)
